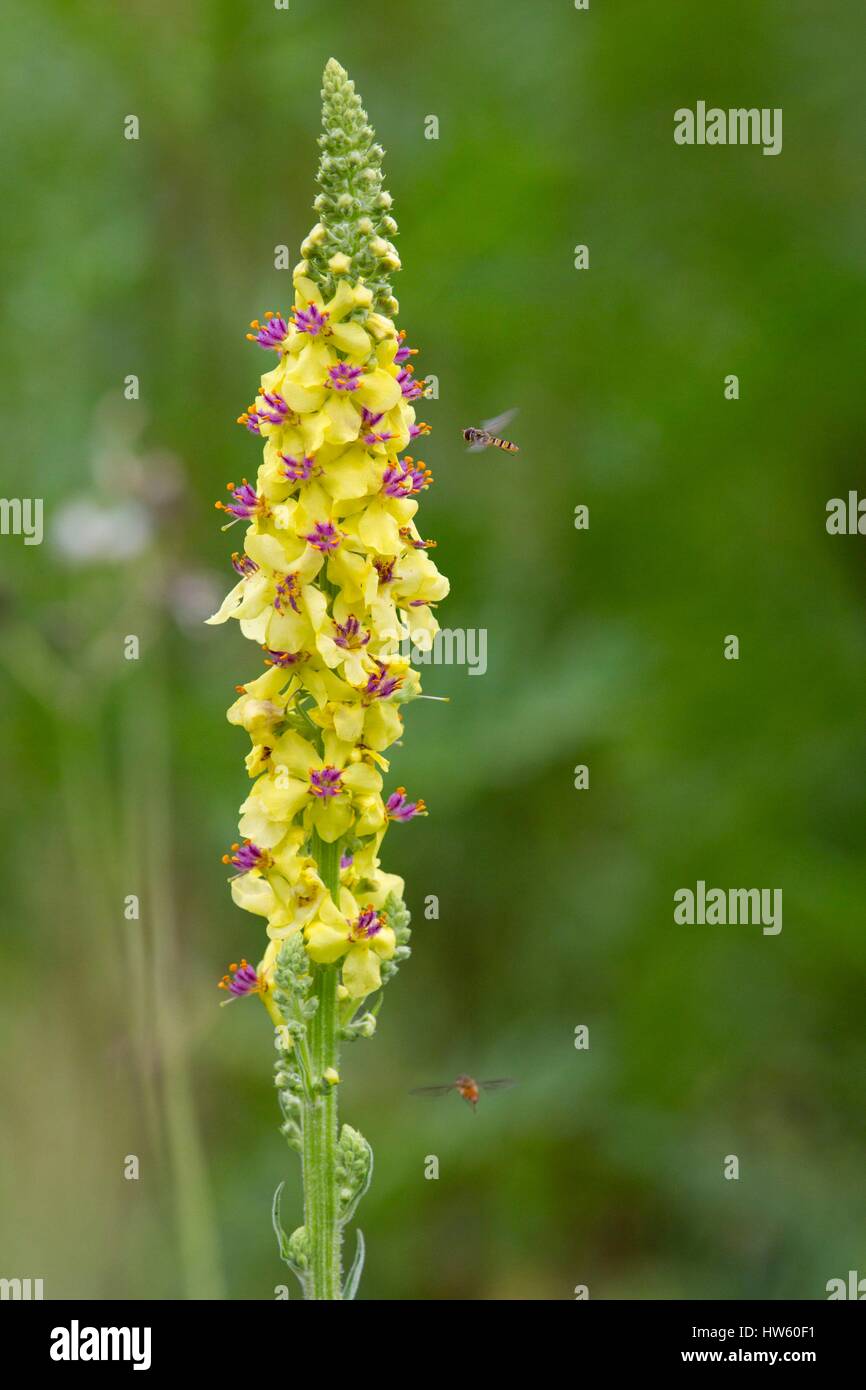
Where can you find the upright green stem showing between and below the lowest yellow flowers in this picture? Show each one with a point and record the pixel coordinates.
(325, 1232)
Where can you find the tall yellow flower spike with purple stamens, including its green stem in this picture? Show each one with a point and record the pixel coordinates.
(330, 571)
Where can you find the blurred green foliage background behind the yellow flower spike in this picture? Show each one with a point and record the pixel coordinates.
(123, 778)
